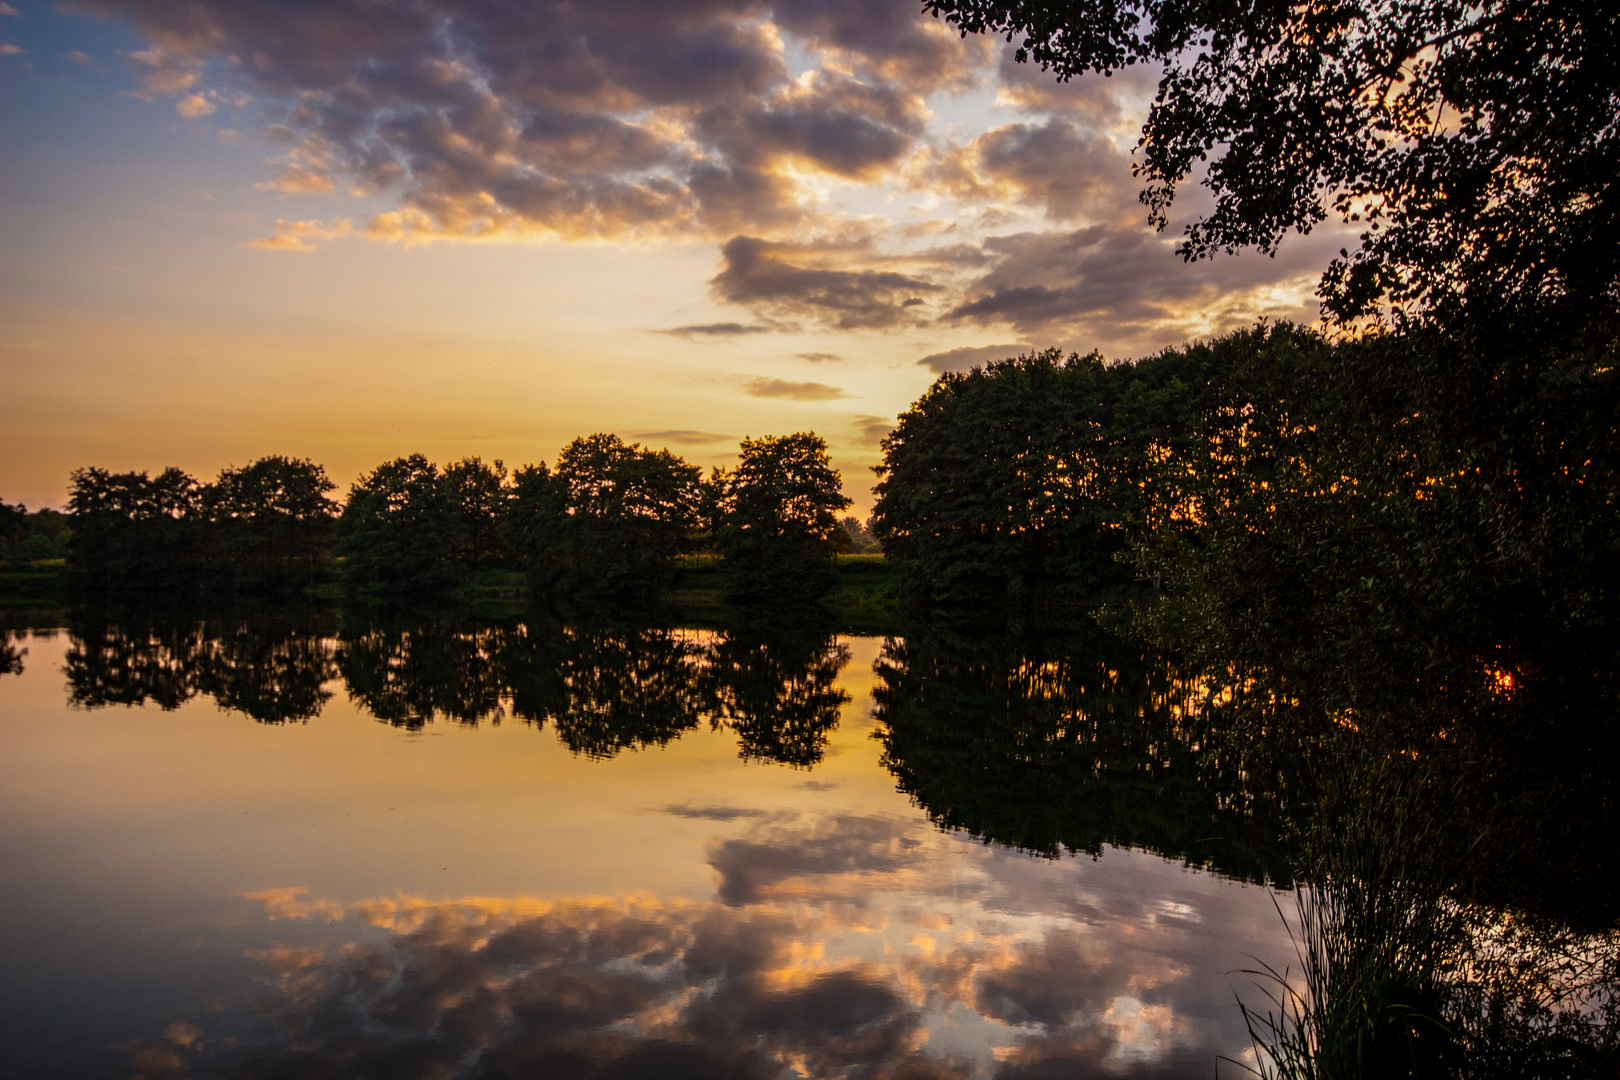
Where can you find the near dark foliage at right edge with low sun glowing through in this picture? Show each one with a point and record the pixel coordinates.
(1384, 558)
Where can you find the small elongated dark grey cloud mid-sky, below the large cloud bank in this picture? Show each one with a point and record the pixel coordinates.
(765, 276)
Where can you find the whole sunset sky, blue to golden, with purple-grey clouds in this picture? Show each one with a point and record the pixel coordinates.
(357, 229)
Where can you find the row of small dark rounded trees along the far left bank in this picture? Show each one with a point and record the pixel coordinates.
(608, 519)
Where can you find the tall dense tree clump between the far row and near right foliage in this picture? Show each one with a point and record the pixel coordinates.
(1028, 480)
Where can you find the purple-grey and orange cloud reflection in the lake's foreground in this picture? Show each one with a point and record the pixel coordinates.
(838, 946)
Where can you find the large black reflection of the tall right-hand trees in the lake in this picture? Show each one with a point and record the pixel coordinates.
(1073, 741)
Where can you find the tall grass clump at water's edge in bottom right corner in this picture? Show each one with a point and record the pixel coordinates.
(1396, 977)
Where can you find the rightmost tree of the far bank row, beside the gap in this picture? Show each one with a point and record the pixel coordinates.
(778, 519)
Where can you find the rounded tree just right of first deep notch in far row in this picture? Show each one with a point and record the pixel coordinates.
(398, 530)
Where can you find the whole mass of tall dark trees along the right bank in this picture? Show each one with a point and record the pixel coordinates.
(1319, 524)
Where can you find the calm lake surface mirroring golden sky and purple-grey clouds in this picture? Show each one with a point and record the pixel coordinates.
(616, 893)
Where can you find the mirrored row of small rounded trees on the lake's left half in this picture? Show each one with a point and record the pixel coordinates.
(605, 687)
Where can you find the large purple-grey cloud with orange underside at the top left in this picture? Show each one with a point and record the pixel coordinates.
(615, 119)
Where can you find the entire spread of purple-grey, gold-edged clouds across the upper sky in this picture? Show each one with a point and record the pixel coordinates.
(738, 122)
